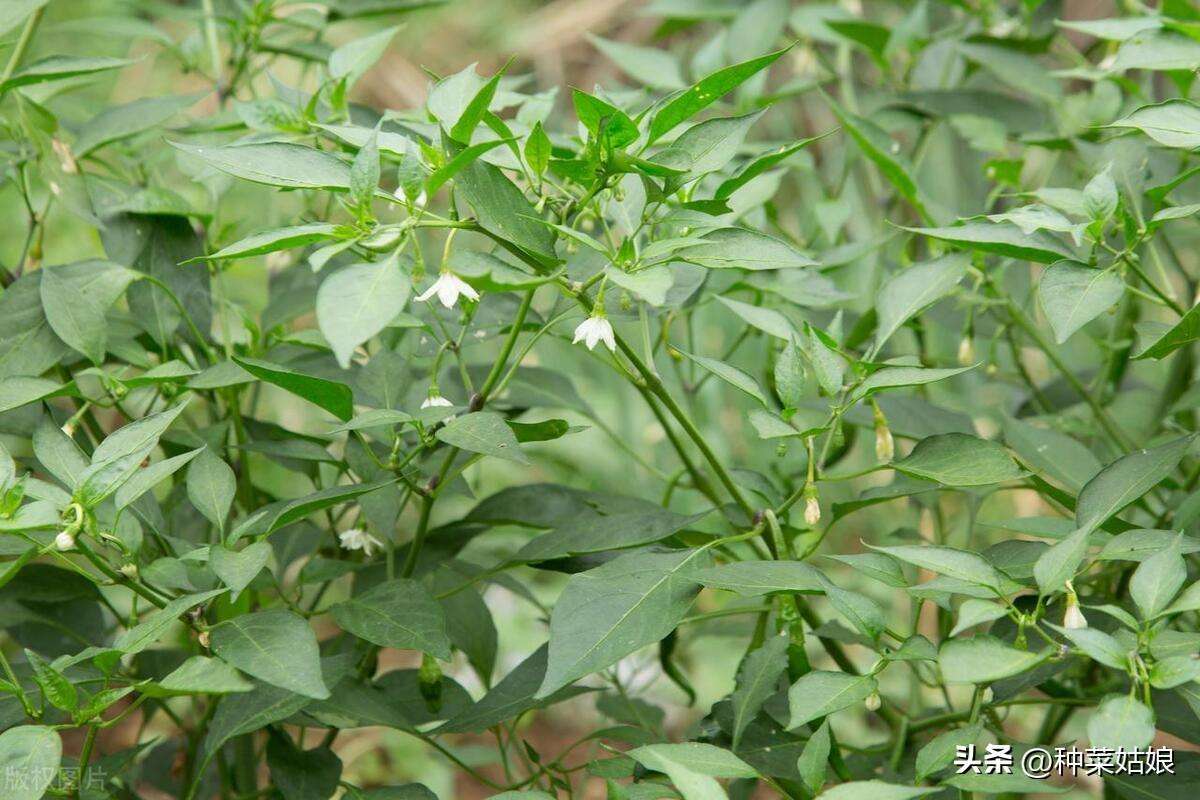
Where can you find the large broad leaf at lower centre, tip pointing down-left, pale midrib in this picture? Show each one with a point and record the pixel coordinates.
(607, 613)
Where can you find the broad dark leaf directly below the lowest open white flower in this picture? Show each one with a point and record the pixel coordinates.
(397, 615)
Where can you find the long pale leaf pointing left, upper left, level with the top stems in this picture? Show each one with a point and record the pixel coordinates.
(275, 164)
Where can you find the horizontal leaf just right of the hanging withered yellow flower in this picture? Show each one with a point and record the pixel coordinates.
(959, 460)
